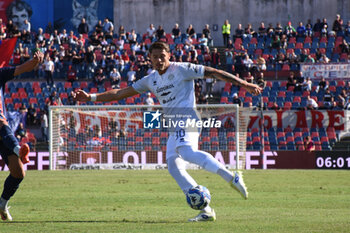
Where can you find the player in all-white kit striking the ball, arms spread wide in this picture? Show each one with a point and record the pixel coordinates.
(173, 85)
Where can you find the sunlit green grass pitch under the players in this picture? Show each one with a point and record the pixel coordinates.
(151, 201)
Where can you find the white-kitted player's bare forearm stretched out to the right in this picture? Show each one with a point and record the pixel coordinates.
(227, 77)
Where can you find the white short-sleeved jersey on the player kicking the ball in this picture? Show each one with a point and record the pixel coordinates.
(175, 88)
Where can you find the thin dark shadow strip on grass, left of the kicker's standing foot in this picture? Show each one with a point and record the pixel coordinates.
(94, 221)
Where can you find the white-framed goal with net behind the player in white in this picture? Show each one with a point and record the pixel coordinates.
(125, 137)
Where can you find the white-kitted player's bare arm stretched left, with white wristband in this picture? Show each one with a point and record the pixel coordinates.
(112, 95)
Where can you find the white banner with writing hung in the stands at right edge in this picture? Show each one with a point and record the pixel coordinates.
(329, 71)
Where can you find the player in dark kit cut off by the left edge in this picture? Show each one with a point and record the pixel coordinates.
(13, 154)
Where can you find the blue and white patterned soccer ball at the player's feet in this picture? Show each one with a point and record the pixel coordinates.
(198, 197)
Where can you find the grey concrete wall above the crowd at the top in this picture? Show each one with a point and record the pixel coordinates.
(138, 14)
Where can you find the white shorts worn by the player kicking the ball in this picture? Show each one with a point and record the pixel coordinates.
(181, 138)
